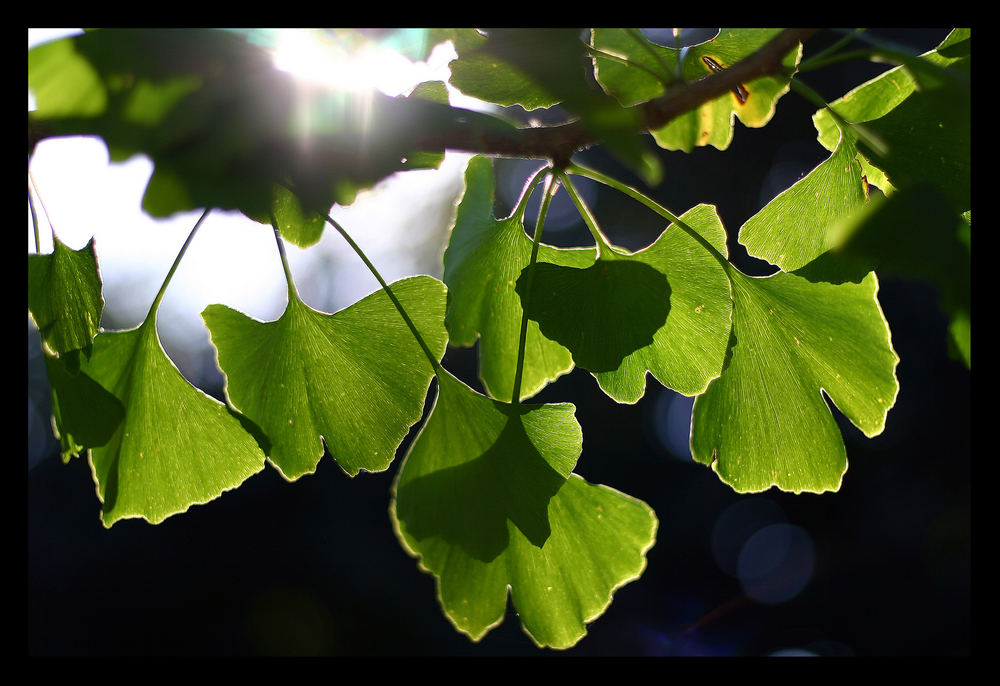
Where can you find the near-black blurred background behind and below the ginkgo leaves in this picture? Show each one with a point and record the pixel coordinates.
(313, 568)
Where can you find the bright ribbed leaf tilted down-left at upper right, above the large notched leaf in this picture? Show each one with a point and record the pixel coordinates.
(795, 227)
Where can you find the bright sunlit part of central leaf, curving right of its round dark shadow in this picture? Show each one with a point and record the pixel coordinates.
(688, 350)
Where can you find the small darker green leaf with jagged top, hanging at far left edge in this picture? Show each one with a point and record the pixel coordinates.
(64, 296)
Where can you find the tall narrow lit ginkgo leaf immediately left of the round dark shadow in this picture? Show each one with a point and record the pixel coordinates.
(483, 260)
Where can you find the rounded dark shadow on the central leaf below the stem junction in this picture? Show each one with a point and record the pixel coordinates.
(602, 313)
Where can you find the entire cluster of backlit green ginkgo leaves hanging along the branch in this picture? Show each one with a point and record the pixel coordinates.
(487, 496)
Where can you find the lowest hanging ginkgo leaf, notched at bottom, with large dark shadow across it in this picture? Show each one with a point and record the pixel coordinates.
(486, 500)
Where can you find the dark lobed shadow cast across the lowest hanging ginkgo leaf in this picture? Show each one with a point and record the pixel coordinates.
(469, 505)
